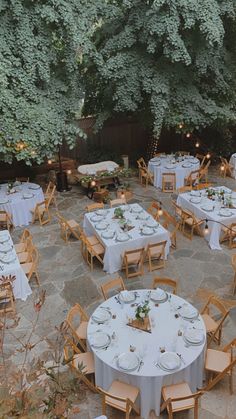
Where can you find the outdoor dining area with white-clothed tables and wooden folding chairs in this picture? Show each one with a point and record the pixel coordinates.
(145, 347)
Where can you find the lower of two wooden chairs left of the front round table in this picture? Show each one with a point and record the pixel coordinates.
(81, 363)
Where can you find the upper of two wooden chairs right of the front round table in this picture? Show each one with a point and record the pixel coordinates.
(214, 314)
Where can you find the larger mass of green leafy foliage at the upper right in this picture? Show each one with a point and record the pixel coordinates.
(169, 61)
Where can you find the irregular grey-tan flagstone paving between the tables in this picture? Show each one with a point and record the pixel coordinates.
(66, 278)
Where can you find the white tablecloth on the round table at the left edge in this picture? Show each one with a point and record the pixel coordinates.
(20, 203)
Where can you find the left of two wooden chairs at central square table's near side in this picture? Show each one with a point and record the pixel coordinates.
(133, 259)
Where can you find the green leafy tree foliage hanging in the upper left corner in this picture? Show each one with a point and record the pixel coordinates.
(40, 85)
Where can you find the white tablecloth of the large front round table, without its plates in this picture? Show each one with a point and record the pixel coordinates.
(149, 378)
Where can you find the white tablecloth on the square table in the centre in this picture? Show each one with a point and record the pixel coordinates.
(114, 250)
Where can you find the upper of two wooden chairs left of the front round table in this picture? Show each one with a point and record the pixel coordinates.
(77, 321)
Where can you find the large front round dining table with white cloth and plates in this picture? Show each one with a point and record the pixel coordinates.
(171, 351)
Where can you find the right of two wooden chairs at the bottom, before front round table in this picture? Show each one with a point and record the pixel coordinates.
(178, 398)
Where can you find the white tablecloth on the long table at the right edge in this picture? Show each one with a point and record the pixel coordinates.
(216, 221)
